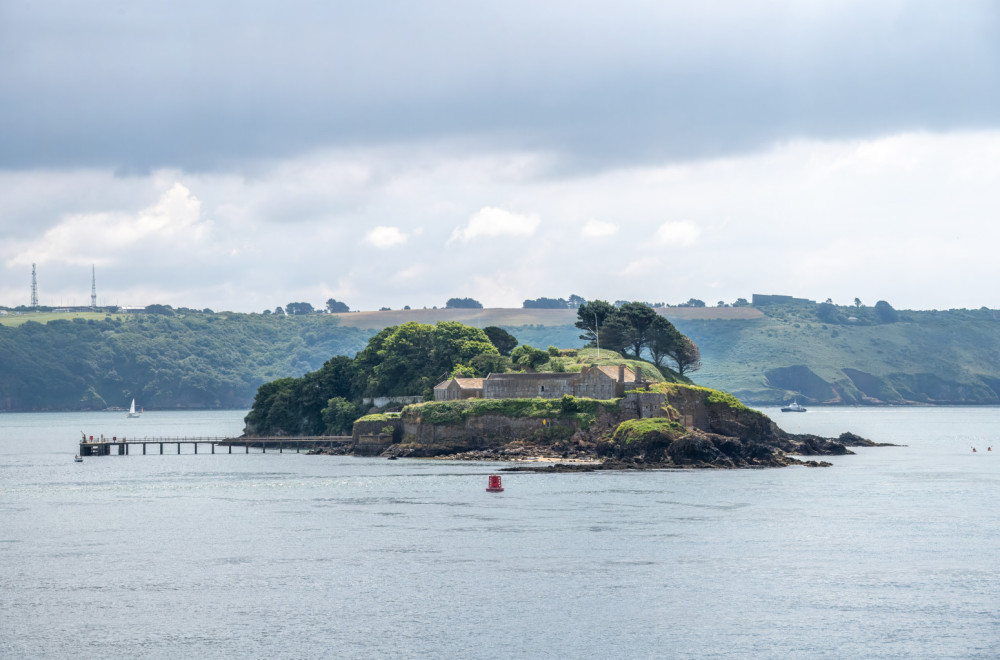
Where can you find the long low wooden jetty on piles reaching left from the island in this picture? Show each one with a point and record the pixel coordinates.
(103, 446)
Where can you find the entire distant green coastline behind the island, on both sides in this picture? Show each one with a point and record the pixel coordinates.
(766, 355)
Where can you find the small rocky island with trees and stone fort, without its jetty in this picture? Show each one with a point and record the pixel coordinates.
(454, 391)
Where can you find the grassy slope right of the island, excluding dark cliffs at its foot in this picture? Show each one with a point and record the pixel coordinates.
(958, 346)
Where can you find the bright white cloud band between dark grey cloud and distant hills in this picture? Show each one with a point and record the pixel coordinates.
(772, 222)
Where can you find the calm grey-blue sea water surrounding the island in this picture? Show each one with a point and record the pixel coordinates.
(892, 552)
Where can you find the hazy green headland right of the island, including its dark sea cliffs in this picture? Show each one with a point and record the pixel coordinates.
(924, 357)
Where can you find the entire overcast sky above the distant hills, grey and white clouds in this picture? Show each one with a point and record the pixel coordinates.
(243, 155)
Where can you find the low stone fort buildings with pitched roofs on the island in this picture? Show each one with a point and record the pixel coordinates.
(606, 382)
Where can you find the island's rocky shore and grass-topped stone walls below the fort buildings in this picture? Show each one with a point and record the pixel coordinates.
(671, 426)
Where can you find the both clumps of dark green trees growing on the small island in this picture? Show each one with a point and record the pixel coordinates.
(411, 358)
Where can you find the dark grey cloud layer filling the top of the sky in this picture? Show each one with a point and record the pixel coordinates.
(144, 86)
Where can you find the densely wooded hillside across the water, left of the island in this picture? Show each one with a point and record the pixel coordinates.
(174, 360)
